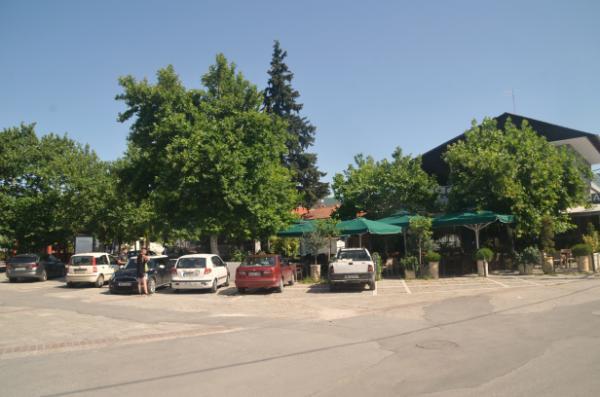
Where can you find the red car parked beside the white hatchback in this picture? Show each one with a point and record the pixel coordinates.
(264, 271)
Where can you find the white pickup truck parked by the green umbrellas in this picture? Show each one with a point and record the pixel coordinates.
(352, 266)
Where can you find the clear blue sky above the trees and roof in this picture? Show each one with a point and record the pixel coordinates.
(371, 76)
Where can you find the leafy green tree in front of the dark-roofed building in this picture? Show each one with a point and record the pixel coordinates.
(516, 171)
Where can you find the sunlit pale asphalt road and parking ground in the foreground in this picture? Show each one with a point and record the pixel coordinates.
(514, 338)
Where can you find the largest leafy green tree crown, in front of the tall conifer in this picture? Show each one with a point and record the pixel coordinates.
(207, 161)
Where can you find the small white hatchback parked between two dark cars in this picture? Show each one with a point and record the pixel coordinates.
(94, 267)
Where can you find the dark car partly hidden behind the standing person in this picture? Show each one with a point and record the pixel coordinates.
(159, 275)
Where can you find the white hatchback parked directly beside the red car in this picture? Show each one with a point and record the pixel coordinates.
(199, 271)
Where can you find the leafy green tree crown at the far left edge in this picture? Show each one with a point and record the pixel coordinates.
(51, 189)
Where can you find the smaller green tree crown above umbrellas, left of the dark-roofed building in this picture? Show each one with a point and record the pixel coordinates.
(381, 187)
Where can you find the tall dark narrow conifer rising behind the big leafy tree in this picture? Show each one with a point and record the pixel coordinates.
(280, 99)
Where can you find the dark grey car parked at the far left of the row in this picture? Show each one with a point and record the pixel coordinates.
(33, 266)
